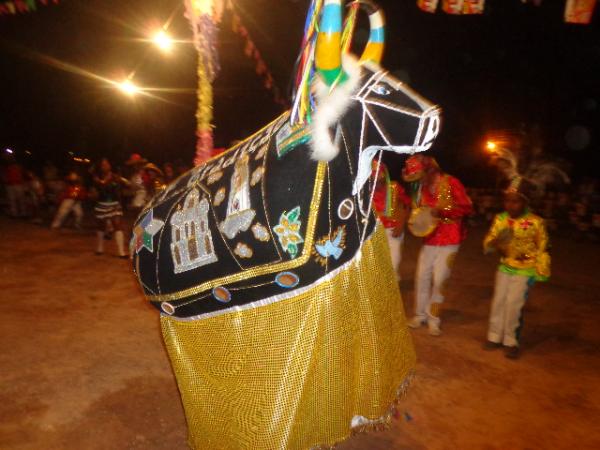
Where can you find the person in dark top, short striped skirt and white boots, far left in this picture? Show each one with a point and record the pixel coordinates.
(108, 209)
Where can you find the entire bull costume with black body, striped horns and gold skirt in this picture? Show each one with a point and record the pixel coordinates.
(280, 333)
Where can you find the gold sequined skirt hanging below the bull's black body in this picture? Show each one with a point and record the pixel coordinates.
(293, 373)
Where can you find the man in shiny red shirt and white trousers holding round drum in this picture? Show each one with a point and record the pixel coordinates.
(447, 201)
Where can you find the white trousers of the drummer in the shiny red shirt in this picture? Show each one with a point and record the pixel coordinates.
(433, 270)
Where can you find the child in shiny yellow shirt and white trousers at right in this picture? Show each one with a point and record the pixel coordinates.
(521, 239)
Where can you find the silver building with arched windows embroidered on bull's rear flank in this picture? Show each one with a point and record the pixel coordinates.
(191, 239)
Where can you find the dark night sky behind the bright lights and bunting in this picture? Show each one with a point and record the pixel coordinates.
(515, 66)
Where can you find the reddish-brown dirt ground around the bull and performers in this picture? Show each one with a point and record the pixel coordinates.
(83, 366)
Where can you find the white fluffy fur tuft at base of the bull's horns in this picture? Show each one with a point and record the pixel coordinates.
(331, 105)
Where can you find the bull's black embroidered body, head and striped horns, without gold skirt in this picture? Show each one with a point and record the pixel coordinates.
(289, 206)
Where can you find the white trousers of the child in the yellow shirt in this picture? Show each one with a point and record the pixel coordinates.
(510, 294)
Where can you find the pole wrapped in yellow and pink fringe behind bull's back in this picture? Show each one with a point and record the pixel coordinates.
(204, 15)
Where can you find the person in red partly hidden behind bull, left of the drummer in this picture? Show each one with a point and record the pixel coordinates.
(391, 206)
